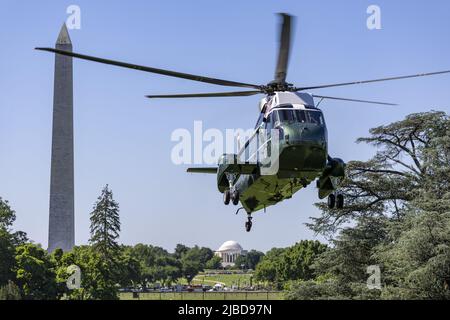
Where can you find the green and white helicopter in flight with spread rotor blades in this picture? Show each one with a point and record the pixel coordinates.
(288, 118)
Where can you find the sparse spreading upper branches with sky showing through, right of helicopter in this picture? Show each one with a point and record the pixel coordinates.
(384, 185)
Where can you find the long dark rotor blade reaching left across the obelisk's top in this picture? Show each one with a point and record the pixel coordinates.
(153, 70)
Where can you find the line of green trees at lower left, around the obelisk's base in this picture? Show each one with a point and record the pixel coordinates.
(29, 272)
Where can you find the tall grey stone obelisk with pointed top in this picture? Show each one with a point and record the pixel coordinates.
(62, 217)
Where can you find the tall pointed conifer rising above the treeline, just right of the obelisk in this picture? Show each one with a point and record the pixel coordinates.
(105, 225)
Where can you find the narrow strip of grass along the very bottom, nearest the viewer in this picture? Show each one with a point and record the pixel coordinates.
(204, 296)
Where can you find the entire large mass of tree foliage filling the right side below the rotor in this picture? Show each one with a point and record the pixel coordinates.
(396, 214)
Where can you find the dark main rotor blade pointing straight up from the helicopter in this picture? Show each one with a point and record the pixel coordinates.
(284, 49)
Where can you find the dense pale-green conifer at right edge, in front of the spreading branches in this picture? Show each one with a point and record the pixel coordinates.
(417, 264)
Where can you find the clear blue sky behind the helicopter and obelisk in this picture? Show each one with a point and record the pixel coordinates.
(123, 139)
